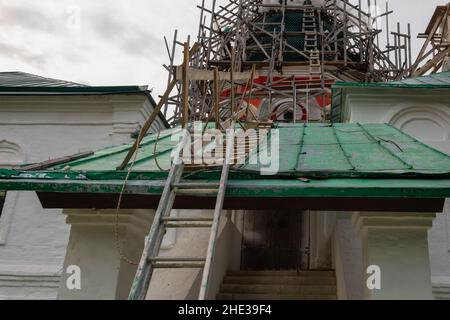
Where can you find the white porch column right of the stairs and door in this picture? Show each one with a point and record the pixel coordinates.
(398, 244)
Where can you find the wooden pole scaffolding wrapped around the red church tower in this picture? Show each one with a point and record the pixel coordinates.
(281, 58)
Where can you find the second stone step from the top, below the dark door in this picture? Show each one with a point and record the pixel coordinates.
(281, 280)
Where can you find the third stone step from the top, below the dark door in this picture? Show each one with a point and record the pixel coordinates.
(278, 289)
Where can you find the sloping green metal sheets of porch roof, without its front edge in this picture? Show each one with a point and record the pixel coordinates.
(314, 150)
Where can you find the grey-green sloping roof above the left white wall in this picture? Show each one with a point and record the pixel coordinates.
(22, 79)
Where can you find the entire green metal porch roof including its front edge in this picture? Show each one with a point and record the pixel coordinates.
(339, 160)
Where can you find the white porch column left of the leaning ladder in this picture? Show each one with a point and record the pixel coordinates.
(92, 248)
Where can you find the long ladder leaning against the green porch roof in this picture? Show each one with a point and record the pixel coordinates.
(162, 221)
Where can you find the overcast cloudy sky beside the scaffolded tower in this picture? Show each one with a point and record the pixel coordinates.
(117, 42)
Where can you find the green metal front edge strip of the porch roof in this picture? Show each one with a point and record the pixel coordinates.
(359, 188)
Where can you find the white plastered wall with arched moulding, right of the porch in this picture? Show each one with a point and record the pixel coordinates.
(425, 115)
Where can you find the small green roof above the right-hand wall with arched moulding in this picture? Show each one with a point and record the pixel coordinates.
(433, 81)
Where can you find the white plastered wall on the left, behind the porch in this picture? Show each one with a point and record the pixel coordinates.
(33, 241)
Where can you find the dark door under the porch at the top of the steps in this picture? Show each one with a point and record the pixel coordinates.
(274, 240)
